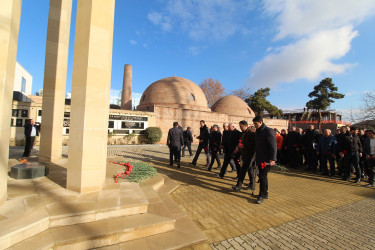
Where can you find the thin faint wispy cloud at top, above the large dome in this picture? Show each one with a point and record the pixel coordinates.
(203, 19)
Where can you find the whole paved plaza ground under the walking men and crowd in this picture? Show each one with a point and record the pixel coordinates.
(304, 210)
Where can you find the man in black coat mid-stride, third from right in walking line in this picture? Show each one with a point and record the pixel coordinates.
(230, 150)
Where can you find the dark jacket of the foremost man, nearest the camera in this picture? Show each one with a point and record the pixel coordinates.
(265, 144)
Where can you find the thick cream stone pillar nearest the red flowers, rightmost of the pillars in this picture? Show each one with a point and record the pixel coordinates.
(90, 95)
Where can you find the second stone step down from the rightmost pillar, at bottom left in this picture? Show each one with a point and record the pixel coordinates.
(99, 233)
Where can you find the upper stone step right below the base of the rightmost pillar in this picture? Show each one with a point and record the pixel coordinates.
(111, 203)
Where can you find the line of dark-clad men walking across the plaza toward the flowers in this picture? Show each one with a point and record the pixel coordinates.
(255, 146)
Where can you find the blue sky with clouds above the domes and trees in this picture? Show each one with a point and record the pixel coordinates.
(288, 45)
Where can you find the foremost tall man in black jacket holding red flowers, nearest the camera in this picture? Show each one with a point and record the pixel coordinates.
(265, 154)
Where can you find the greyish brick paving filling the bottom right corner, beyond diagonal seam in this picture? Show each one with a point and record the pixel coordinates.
(347, 227)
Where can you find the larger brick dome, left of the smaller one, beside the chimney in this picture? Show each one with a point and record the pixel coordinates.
(174, 92)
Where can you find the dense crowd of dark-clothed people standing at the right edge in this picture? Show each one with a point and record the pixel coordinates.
(347, 152)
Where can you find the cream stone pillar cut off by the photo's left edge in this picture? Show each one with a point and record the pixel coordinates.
(10, 16)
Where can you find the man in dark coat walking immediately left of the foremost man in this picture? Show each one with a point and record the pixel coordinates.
(247, 148)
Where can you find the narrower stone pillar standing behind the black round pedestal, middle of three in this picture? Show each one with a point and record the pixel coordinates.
(55, 70)
